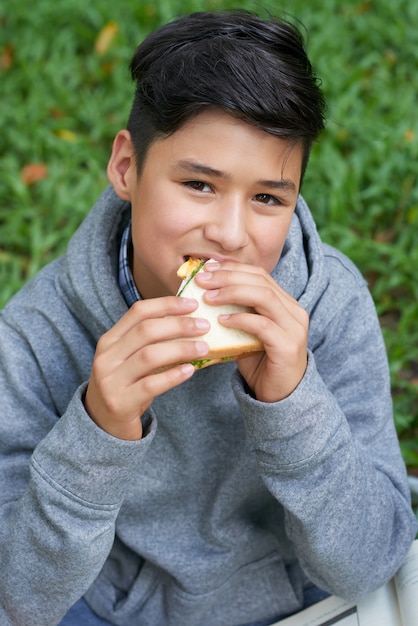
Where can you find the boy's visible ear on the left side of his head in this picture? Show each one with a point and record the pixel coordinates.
(122, 164)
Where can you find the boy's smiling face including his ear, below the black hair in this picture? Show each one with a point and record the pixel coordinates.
(217, 188)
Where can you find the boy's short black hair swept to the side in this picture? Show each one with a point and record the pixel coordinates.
(254, 69)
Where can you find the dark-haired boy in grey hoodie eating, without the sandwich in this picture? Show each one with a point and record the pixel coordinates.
(158, 494)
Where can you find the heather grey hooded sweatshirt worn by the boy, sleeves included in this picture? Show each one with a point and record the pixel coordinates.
(228, 507)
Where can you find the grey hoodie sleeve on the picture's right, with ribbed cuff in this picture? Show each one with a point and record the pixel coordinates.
(330, 455)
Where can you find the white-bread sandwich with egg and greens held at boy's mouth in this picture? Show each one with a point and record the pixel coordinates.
(226, 344)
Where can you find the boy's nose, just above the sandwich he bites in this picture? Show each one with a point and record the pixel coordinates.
(227, 225)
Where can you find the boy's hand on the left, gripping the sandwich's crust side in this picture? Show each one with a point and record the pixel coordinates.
(134, 363)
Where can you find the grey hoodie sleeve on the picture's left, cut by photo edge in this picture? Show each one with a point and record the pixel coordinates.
(63, 482)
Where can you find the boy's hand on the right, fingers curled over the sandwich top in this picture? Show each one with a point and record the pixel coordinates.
(279, 322)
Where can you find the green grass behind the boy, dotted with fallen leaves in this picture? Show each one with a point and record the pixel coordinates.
(62, 101)
